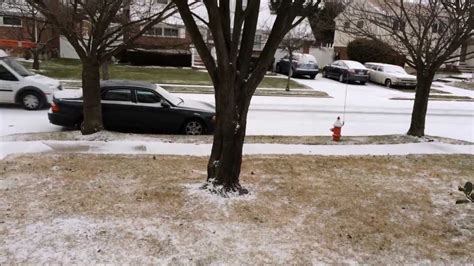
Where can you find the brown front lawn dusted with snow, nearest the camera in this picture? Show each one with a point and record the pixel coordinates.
(302, 209)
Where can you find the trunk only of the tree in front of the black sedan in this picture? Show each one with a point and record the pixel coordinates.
(92, 108)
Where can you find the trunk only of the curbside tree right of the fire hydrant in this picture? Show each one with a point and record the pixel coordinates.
(420, 106)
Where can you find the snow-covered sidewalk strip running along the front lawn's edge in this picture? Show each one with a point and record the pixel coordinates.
(141, 147)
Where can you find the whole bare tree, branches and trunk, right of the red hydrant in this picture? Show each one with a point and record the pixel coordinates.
(429, 32)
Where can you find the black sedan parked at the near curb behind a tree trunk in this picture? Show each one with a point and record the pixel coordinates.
(136, 106)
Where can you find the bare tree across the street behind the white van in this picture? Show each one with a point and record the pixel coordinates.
(36, 26)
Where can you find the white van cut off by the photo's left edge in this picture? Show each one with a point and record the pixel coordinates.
(18, 85)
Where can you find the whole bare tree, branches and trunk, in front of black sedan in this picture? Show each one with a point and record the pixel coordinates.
(98, 30)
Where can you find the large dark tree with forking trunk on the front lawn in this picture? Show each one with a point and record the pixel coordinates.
(233, 25)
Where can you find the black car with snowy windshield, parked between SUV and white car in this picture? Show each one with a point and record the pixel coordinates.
(346, 71)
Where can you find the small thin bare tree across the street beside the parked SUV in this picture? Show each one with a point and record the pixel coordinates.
(293, 42)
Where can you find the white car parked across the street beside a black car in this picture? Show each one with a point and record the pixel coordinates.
(390, 75)
